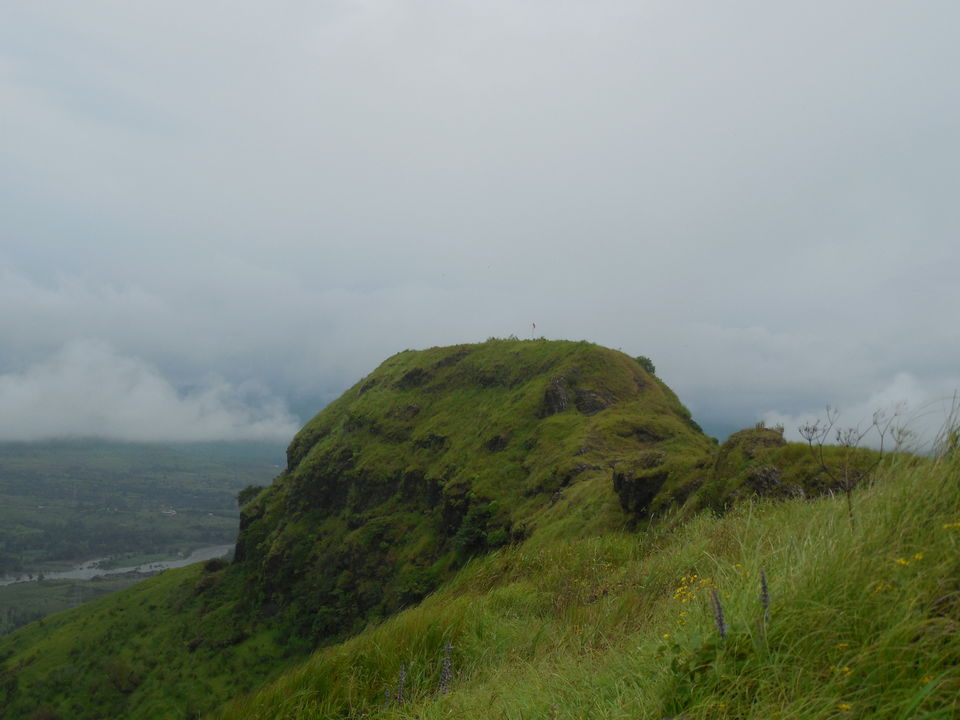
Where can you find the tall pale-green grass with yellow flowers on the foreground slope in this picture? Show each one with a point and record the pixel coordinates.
(857, 622)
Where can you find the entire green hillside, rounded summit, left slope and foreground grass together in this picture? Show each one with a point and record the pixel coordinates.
(516, 528)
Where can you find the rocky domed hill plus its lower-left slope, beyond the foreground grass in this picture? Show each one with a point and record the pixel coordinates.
(437, 457)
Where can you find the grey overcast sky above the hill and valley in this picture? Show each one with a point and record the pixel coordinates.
(216, 216)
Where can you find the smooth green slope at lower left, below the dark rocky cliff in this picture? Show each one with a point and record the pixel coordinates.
(169, 647)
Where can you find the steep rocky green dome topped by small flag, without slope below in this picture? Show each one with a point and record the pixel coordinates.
(442, 454)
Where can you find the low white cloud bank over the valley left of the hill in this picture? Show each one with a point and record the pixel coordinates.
(87, 389)
